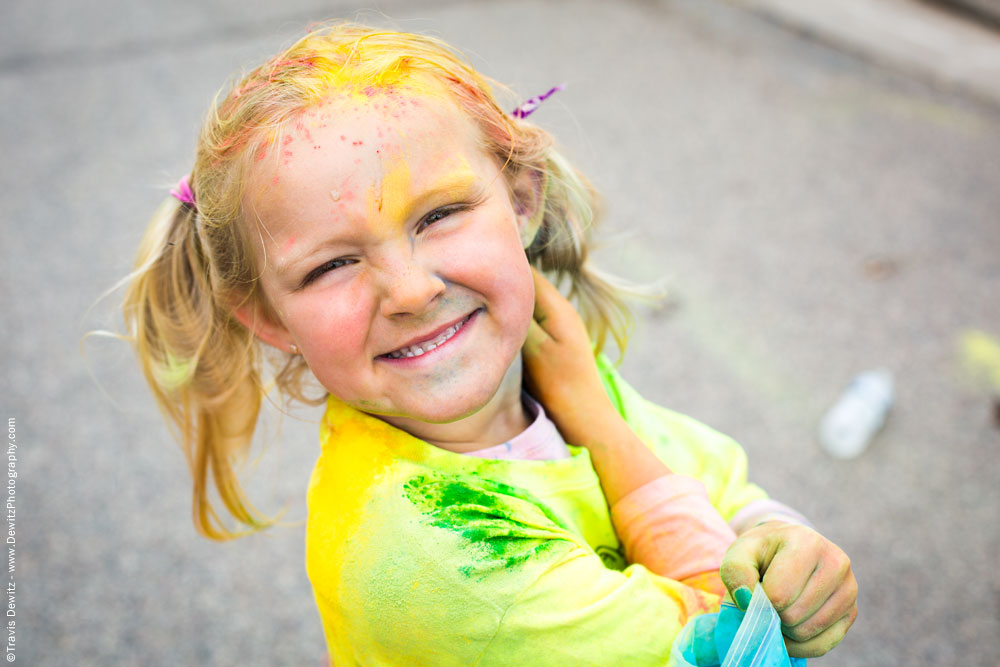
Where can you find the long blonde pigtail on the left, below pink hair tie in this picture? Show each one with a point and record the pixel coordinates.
(199, 362)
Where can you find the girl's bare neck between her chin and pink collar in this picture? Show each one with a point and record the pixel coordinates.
(502, 418)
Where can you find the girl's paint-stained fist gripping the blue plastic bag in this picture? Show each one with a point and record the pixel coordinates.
(807, 577)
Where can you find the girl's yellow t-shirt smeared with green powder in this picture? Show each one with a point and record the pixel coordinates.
(421, 556)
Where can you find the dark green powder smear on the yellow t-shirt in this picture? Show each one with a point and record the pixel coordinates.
(486, 515)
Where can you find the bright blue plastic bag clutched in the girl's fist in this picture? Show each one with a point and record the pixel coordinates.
(733, 638)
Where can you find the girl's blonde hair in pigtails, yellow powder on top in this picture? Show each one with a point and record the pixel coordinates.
(197, 263)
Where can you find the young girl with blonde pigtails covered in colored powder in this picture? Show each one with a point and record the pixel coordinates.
(362, 206)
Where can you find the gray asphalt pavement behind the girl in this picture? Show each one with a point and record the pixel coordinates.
(813, 212)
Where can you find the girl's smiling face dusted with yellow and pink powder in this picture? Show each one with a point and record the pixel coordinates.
(393, 257)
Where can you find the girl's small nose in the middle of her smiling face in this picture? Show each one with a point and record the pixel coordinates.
(406, 285)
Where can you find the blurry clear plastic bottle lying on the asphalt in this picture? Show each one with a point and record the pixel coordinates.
(848, 427)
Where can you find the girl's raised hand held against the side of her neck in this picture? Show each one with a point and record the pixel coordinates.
(559, 360)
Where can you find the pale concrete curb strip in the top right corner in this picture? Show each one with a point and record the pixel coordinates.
(919, 39)
